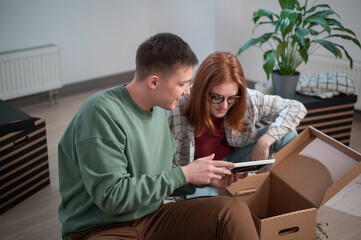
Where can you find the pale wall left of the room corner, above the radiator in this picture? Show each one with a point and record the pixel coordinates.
(100, 38)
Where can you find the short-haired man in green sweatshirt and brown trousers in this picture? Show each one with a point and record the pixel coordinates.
(115, 161)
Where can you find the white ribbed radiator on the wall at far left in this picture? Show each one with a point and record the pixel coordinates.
(29, 71)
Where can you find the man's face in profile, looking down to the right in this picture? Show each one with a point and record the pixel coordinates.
(173, 87)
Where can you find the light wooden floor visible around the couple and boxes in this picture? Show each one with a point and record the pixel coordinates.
(36, 217)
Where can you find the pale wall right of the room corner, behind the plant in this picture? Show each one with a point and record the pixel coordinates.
(234, 27)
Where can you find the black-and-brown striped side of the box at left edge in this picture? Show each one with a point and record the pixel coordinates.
(24, 168)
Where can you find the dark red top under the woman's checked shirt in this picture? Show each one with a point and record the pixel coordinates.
(213, 142)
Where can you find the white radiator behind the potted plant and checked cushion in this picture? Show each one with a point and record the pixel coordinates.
(319, 63)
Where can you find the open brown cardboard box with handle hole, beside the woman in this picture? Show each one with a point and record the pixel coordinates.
(307, 173)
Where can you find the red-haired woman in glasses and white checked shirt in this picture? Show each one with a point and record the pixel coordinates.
(221, 114)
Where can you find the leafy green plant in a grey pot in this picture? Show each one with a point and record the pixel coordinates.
(298, 32)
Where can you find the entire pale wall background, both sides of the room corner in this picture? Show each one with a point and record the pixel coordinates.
(99, 38)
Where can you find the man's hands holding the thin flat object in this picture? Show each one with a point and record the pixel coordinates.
(205, 170)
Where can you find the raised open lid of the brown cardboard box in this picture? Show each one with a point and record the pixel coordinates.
(315, 167)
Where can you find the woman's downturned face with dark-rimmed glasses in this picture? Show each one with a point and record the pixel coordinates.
(227, 90)
